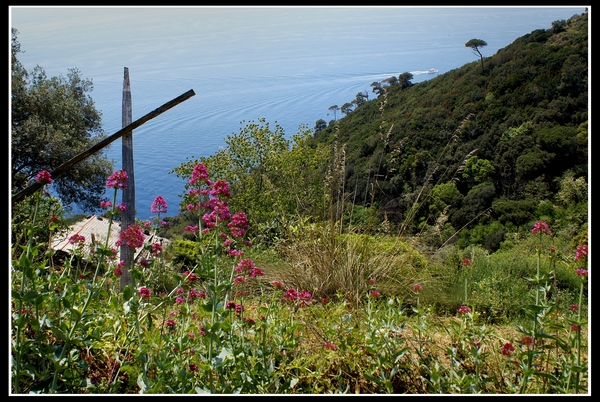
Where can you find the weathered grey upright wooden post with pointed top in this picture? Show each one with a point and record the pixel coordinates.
(128, 216)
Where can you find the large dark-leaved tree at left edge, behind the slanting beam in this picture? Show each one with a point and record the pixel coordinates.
(53, 120)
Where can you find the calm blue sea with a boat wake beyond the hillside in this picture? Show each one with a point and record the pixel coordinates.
(287, 65)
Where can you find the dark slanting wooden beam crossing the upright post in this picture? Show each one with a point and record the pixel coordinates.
(32, 188)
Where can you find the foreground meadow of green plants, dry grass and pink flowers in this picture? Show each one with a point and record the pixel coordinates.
(240, 320)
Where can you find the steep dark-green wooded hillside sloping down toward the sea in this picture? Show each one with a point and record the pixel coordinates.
(496, 147)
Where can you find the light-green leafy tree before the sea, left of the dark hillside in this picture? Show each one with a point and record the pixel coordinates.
(271, 178)
